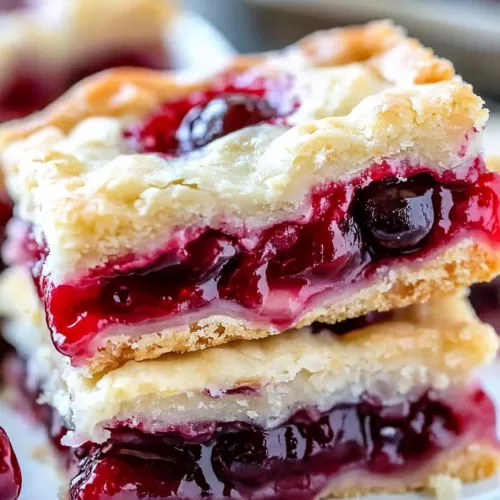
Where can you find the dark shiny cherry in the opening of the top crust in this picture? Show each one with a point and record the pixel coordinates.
(221, 116)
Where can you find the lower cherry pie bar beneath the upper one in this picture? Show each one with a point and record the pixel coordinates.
(384, 403)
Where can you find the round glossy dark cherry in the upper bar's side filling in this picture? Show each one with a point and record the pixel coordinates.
(397, 214)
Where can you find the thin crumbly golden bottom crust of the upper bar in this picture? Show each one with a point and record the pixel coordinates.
(461, 265)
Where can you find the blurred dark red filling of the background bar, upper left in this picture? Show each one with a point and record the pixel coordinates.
(33, 85)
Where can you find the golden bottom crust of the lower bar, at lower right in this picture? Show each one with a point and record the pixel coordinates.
(472, 462)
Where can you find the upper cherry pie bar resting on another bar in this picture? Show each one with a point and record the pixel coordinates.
(160, 212)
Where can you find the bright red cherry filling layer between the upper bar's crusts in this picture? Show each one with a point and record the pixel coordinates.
(346, 238)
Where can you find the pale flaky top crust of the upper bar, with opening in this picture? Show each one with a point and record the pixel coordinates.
(356, 96)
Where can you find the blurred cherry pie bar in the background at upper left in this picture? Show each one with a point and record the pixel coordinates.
(47, 46)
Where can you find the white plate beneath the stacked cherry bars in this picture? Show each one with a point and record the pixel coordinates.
(40, 480)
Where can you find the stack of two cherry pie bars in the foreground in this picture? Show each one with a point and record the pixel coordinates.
(251, 285)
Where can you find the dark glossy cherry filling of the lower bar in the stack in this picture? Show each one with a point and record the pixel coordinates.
(294, 461)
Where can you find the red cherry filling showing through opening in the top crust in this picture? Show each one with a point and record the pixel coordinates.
(231, 104)
